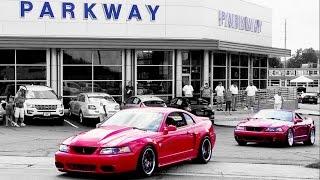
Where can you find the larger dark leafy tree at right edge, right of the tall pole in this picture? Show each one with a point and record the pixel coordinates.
(302, 57)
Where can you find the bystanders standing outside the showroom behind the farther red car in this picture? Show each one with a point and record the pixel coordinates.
(230, 95)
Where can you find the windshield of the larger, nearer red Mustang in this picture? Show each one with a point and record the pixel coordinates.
(137, 119)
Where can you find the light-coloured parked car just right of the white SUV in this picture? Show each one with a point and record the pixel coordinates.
(93, 106)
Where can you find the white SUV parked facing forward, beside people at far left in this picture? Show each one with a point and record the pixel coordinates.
(41, 102)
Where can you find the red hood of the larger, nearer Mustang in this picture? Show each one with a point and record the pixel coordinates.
(108, 136)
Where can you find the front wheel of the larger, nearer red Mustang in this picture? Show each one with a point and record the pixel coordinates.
(147, 163)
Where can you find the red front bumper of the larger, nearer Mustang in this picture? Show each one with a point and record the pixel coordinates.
(97, 164)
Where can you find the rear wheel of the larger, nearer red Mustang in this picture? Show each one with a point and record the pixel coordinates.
(205, 151)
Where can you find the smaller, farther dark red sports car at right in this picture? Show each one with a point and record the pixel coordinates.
(275, 127)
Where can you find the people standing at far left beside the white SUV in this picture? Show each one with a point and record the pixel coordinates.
(14, 110)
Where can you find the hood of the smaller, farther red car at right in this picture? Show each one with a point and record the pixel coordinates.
(265, 123)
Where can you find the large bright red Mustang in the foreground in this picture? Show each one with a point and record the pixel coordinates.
(138, 140)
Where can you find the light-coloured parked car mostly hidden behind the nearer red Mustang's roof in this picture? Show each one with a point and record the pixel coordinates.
(143, 101)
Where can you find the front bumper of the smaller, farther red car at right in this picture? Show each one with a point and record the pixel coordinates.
(252, 136)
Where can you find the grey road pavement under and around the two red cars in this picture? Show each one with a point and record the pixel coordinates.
(27, 153)
